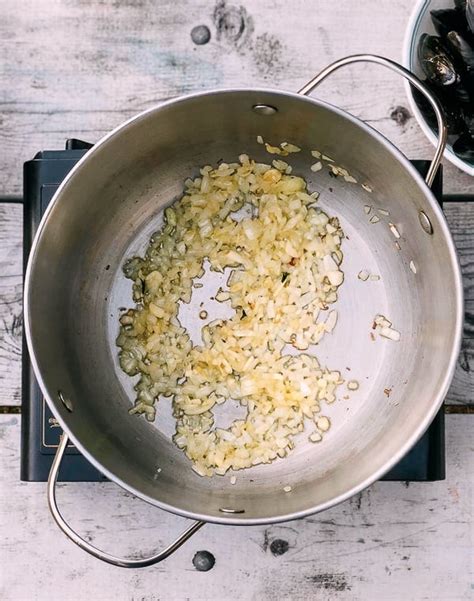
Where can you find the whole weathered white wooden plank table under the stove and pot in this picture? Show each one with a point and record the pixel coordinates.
(77, 68)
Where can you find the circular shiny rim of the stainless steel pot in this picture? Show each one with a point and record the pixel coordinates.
(240, 519)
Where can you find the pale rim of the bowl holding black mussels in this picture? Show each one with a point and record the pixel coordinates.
(412, 28)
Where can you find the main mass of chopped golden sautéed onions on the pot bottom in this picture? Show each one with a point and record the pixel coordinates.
(285, 259)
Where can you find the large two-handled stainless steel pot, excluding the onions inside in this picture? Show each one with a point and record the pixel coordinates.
(112, 201)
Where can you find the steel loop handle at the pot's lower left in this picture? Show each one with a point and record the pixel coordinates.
(83, 544)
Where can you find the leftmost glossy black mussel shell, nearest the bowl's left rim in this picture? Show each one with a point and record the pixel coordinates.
(436, 61)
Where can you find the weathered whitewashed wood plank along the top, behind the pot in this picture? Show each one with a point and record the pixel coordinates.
(111, 59)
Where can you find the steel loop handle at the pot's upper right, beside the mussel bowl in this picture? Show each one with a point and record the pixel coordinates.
(417, 83)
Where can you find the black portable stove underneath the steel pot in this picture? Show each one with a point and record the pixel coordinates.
(40, 430)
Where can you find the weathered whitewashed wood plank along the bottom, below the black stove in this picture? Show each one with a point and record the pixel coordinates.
(391, 542)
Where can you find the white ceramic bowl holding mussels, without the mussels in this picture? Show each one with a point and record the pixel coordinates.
(419, 23)
